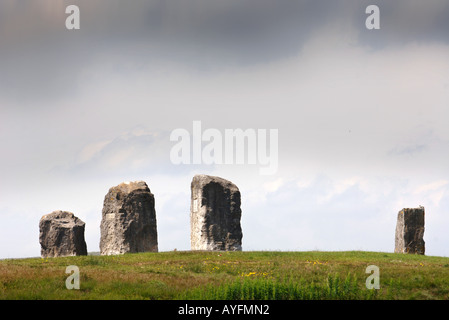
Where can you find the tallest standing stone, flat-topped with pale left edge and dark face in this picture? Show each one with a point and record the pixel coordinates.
(215, 214)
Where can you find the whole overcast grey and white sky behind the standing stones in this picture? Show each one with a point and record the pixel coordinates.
(361, 115)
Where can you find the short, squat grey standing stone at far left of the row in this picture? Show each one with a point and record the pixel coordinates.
(61, 234)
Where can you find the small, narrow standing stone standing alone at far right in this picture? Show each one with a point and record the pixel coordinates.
(410, 231)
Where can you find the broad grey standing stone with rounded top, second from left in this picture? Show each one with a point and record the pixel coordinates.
(128, 220)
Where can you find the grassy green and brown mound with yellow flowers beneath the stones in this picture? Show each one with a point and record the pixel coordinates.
(229, 276)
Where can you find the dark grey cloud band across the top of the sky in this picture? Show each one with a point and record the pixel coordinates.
(41, 60)
